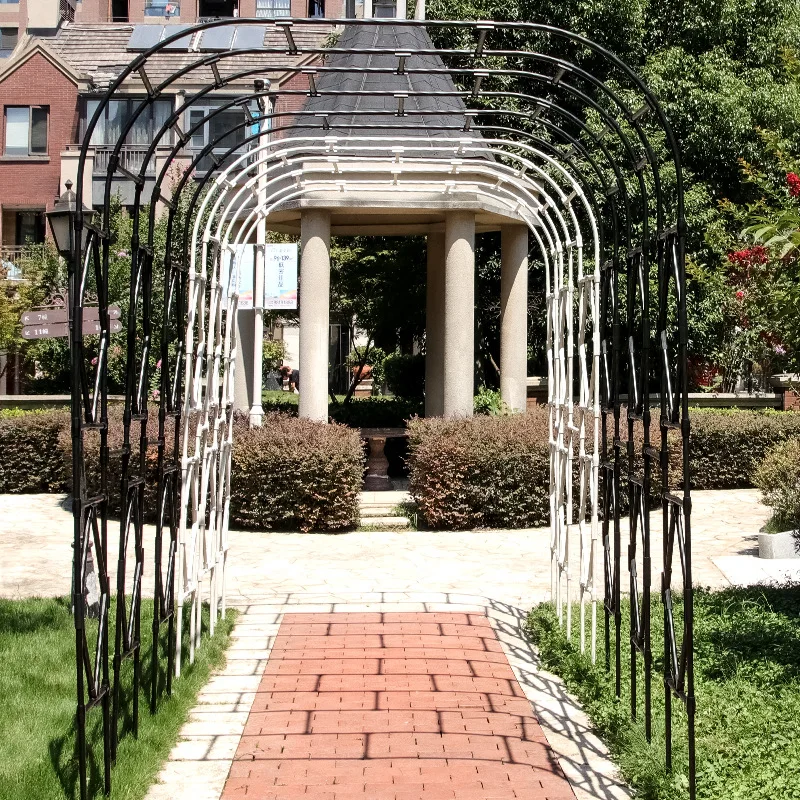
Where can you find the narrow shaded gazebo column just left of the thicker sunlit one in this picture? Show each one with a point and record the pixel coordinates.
(434, 327)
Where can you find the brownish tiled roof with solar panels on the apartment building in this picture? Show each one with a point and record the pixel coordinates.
(100, 52)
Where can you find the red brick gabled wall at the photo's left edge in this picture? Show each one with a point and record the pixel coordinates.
(34, 182)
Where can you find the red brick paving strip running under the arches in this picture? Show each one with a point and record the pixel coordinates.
(392, 706)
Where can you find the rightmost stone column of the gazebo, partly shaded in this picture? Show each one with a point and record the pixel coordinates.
(514, 316)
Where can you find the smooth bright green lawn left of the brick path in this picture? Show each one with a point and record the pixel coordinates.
(37, 710)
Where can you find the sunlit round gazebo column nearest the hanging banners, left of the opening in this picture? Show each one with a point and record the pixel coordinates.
(315, 282)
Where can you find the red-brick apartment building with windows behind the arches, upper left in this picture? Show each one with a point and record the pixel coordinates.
(63, 55)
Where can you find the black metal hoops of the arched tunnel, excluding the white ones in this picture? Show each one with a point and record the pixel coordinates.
(628, 246)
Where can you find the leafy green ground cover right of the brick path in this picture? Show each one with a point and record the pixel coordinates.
(747, 678)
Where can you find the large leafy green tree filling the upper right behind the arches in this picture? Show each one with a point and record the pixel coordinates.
(723, 70)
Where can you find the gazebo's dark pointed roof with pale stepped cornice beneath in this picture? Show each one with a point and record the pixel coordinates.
(423, 160)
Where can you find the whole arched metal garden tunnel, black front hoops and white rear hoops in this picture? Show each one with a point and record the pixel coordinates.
(593, 201)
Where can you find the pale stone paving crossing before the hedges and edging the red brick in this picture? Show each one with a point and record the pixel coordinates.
(498, 575)
